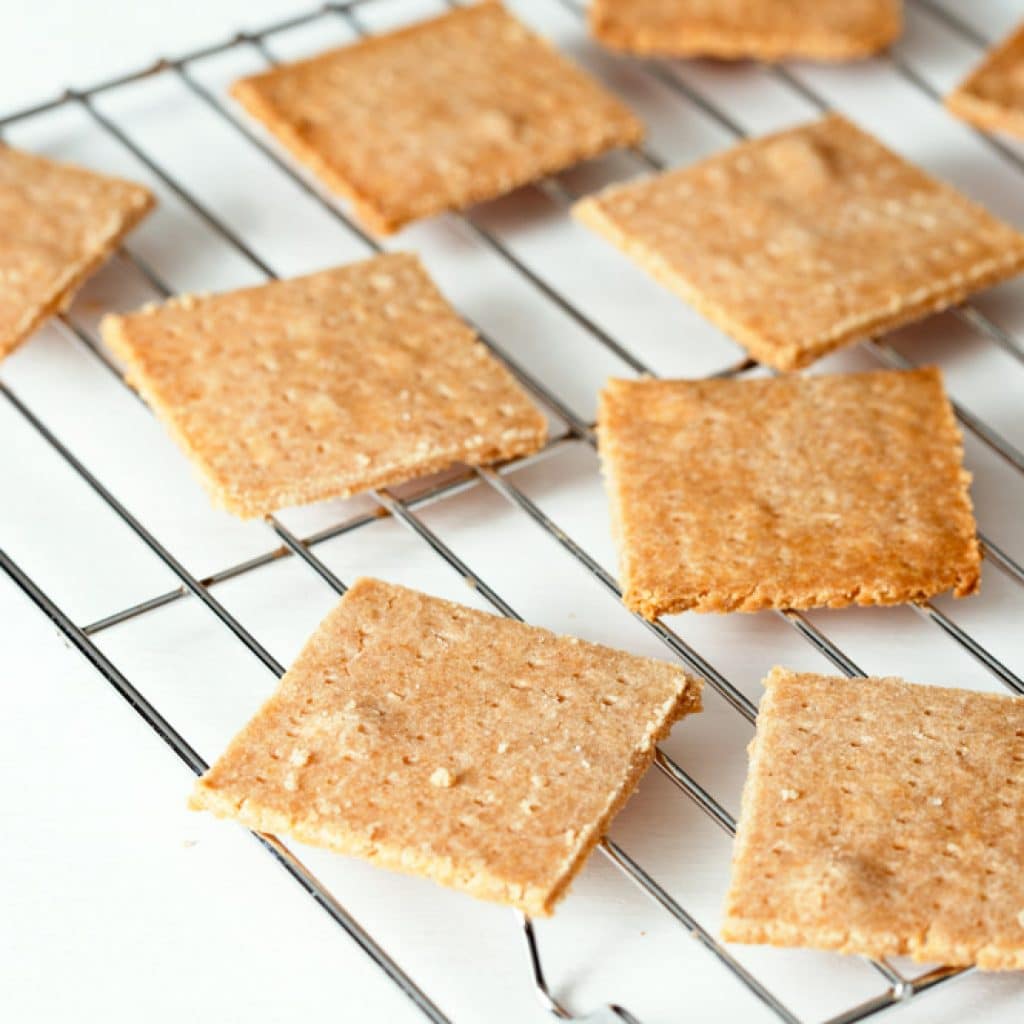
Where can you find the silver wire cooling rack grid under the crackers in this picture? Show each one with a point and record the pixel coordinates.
(571, 429)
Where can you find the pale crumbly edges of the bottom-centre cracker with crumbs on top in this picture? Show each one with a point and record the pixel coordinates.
(535, 901)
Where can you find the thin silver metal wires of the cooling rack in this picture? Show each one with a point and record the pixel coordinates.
(573, 430)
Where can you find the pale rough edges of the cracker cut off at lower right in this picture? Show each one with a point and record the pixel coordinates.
(738, 928)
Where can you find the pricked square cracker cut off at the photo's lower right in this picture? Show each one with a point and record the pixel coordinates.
(883, 819)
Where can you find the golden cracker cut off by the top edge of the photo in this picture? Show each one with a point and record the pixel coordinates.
(767, 30)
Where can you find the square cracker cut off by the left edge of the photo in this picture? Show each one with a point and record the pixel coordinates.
(60, 224)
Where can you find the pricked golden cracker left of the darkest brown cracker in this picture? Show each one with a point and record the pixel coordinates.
(323, 387)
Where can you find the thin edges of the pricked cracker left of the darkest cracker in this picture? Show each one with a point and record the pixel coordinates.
(112, 330)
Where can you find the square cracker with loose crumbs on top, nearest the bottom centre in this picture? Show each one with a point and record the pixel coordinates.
(432, 739)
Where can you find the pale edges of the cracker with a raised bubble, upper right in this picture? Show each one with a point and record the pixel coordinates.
(941, 294)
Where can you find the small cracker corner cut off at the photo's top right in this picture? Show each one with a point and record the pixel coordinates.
(993, 96)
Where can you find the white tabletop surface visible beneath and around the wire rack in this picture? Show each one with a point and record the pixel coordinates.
(117, 904)
